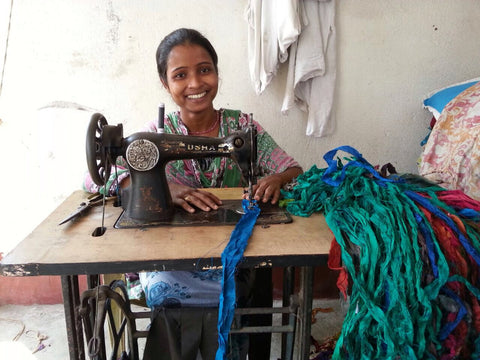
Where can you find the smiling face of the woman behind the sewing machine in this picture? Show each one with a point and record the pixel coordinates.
(191, 78)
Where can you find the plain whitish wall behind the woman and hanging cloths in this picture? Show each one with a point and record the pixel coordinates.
(100, 56)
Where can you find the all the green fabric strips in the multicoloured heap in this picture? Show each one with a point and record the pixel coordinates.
(394, 310)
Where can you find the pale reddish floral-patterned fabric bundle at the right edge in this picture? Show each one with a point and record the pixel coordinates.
(451, 157)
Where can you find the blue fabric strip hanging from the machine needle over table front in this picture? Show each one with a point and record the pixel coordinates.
(231, 255)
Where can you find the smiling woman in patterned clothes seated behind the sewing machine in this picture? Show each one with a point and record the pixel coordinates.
(187, 66)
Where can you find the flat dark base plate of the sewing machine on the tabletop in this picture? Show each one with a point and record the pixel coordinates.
(228, 214)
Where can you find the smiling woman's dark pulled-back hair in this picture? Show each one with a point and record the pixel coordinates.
(181, 37)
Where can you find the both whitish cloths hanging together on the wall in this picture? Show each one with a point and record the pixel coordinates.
(307, 29)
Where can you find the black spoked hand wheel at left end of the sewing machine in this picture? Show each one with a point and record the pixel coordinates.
(96, 155)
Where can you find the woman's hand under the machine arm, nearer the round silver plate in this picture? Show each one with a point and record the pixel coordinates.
(188, 198)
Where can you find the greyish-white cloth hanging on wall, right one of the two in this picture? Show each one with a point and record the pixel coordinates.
(312, 68)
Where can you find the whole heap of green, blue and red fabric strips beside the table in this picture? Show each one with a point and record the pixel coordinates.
(411, 252)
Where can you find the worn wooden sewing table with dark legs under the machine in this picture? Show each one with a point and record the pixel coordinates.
(70, 250)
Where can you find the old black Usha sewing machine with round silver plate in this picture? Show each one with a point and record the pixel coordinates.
(147, 201)
